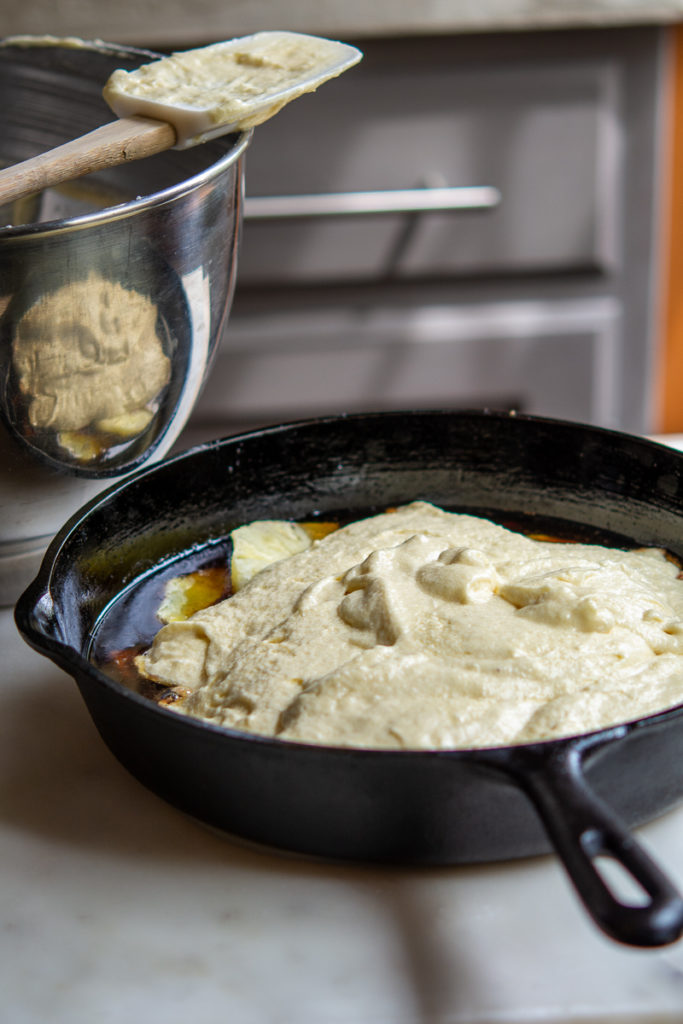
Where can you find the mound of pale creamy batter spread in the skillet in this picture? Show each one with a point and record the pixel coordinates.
(424, 629)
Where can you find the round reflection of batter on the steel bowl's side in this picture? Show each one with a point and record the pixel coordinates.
(91, 363)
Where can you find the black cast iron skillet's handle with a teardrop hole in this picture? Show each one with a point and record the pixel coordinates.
(583, 829)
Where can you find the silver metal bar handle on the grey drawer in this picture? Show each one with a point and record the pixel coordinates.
(435, 200)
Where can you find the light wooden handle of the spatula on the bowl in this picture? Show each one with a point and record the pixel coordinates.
(113, 144)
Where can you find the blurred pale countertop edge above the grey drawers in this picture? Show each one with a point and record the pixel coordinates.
(179, 23)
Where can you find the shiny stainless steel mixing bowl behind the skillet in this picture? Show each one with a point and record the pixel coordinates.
(114, 292)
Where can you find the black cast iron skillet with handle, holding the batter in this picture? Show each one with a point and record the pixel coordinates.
(412, 807)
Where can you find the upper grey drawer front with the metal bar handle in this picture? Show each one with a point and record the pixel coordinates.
(542, 135)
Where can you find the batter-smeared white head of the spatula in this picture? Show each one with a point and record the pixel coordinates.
(228, 87)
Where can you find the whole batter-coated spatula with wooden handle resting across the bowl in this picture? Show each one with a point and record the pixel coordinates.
(187, 99)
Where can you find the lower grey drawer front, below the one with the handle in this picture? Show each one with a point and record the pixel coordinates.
(557, 359)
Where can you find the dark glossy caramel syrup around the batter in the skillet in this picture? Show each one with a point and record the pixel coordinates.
(131, 623)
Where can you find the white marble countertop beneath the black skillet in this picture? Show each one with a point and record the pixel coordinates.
(117, 909)
